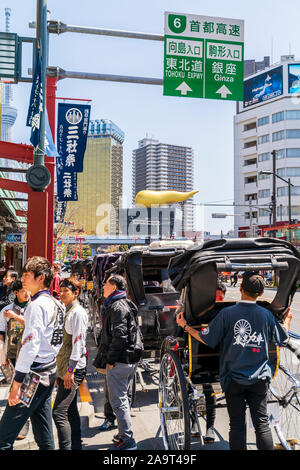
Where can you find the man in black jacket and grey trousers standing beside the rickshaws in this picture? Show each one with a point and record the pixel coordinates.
(120, 349)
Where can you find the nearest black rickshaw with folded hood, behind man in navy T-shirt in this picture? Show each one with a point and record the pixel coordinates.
(186, 364)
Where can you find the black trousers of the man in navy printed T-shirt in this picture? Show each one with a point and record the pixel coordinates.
(255, 396)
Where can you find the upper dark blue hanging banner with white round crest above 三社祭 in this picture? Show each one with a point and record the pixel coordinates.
(72, 131)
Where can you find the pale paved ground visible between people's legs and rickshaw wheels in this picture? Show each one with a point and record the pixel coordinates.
(145, 415)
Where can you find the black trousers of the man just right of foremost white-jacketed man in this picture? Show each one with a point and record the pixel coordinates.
(66, 415)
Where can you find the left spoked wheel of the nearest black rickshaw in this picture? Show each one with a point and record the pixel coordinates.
(173, 403)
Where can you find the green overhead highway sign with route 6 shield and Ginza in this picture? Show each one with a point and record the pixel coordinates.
(203, 57)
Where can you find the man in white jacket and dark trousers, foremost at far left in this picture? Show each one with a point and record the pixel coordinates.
(41, 341)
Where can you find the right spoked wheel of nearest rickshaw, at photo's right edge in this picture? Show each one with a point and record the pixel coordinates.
(285, 388)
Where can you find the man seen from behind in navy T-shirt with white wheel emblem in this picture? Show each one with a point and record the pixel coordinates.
(243, 332)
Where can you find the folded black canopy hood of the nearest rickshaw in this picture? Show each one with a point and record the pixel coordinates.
(197, 269)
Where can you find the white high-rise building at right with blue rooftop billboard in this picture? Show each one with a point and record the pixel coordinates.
(267, 120)
